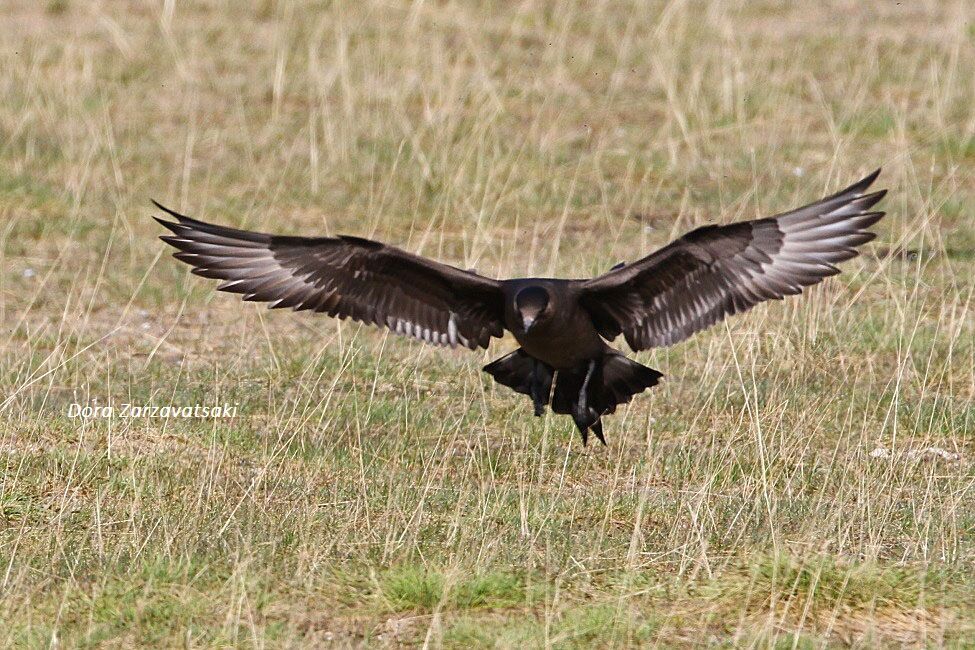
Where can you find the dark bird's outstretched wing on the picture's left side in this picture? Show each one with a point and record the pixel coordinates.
(347, 277)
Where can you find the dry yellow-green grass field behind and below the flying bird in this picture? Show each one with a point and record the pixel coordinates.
(804, 477)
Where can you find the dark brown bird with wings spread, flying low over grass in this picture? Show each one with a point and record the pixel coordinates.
(564, 327)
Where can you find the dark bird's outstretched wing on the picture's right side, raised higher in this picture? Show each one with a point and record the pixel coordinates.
(716, 271)
